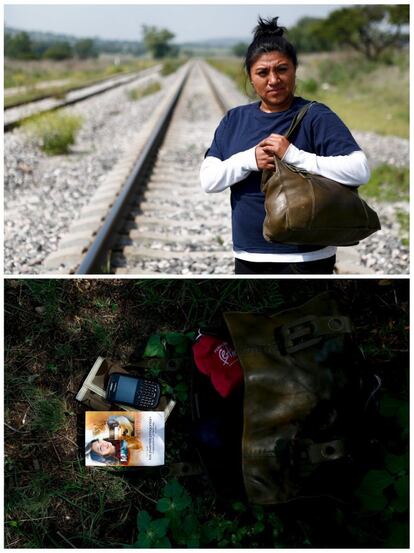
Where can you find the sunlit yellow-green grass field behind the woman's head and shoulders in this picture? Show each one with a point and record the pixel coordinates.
(364, 94)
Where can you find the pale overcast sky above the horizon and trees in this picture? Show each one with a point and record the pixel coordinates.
(188, 22)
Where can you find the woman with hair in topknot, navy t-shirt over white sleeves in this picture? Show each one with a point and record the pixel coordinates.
(249, 137)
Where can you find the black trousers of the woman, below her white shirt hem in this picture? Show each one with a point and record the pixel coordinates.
(319, 267)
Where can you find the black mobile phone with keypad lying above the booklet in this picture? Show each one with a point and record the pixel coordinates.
(132, 390)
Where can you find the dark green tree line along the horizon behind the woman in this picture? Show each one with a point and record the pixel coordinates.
(369, 29)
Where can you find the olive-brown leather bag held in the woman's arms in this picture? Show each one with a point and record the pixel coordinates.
(304, 208)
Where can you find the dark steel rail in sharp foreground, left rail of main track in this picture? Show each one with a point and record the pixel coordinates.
(97, 255)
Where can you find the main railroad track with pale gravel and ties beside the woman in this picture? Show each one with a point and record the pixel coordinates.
(157, 220)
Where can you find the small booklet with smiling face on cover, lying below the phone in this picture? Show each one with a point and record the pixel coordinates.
(124, 438)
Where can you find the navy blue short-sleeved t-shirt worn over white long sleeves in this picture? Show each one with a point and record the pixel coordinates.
(321, 132)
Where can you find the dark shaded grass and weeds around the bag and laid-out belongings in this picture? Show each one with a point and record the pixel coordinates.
(53, 501)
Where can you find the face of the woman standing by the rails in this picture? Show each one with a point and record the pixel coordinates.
(273, 76)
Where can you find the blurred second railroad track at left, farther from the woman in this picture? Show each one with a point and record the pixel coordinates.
(16, 115)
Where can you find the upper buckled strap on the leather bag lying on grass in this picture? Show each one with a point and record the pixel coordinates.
(310, 330)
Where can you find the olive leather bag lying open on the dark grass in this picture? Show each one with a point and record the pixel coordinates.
(302, 395)
